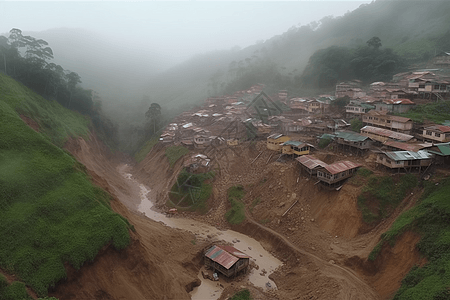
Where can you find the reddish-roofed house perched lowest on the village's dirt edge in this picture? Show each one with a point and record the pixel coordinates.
(333, 175)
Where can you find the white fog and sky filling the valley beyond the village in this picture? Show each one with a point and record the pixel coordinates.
(135, 53)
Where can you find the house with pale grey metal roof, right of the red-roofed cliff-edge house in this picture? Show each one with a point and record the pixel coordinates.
(407, 160)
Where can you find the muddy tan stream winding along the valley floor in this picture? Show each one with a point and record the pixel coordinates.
(213, 289)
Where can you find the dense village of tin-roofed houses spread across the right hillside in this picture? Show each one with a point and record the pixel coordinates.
(295, 127)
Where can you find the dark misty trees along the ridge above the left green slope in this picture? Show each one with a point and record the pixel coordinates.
(26, 59)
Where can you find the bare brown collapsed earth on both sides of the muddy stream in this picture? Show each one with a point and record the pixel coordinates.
(322, 240)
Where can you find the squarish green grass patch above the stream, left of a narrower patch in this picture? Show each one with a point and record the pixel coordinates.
(191, 191)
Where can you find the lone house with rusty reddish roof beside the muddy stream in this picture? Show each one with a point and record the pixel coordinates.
(226, 259)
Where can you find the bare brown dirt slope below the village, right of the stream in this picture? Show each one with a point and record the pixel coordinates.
(318, 239)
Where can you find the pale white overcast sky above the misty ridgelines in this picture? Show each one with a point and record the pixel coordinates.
(176, 30)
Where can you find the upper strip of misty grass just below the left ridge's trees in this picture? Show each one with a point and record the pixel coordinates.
(56, 122)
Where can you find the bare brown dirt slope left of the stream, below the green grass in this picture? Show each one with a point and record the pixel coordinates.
(157, 265)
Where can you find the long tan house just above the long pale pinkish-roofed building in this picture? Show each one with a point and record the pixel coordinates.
(381, 119)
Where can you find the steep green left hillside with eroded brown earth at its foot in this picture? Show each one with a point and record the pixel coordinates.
(58, 229)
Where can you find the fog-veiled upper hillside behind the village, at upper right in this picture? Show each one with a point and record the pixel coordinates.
(413, 29)
